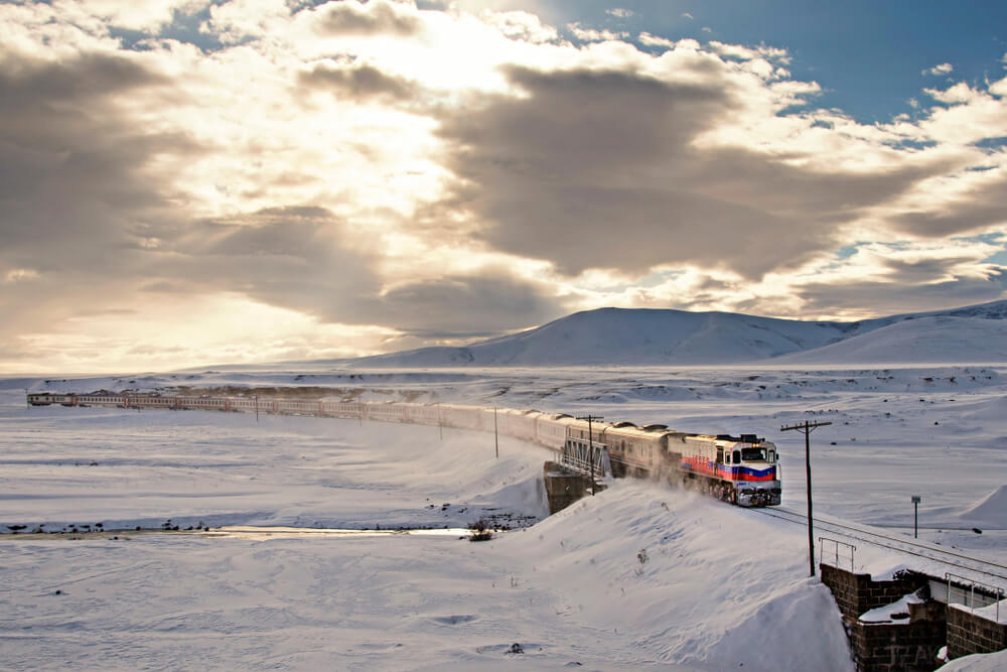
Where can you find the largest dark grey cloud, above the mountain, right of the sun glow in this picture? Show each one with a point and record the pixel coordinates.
(602, 171)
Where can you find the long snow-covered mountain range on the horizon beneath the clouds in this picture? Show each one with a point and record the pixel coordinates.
(621, 337)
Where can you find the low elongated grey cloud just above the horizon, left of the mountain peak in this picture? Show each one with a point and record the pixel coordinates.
(301, 258)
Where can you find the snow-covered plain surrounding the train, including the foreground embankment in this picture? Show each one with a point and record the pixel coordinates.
(640, 577)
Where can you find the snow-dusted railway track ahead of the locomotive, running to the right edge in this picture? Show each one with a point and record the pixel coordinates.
(961, 563)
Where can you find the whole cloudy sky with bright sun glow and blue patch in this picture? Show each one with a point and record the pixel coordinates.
(191, 183)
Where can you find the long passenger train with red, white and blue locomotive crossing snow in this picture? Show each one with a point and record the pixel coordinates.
(742, 470)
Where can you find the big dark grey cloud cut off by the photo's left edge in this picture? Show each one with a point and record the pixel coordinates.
(72, 165)
